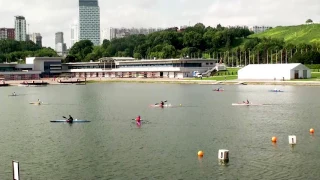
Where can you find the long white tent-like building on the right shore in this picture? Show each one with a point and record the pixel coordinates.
(274, 72)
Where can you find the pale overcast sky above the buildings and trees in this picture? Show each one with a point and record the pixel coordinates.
(50, 16)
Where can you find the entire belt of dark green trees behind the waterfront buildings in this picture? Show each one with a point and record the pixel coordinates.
(232, 45)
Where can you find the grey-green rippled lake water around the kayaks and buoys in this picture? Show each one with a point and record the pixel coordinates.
(112, 146)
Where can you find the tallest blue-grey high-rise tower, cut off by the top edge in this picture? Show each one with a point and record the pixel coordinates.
(89, 21)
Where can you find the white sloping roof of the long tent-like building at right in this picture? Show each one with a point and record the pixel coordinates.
(273, 67)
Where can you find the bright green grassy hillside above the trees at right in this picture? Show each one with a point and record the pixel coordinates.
(293, 34)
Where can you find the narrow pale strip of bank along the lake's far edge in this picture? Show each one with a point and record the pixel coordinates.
(176, 81)
